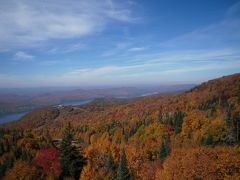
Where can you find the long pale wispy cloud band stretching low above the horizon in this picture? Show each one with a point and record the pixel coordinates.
(182, 67)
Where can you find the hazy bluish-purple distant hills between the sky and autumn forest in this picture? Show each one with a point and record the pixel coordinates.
(27, 99)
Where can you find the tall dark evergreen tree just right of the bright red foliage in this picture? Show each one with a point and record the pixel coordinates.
(72, 161)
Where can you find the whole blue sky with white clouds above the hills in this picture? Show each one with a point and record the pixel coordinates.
(94, 43)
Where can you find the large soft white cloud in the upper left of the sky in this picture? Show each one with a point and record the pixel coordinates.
(28, 23)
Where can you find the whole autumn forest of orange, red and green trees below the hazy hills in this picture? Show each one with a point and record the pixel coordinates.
(189, 135)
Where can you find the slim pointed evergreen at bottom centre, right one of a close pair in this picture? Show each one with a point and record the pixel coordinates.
(123, 172)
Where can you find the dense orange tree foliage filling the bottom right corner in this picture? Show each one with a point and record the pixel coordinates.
(201, 163)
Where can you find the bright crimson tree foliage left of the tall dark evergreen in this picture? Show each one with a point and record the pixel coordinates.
(48, 160)
